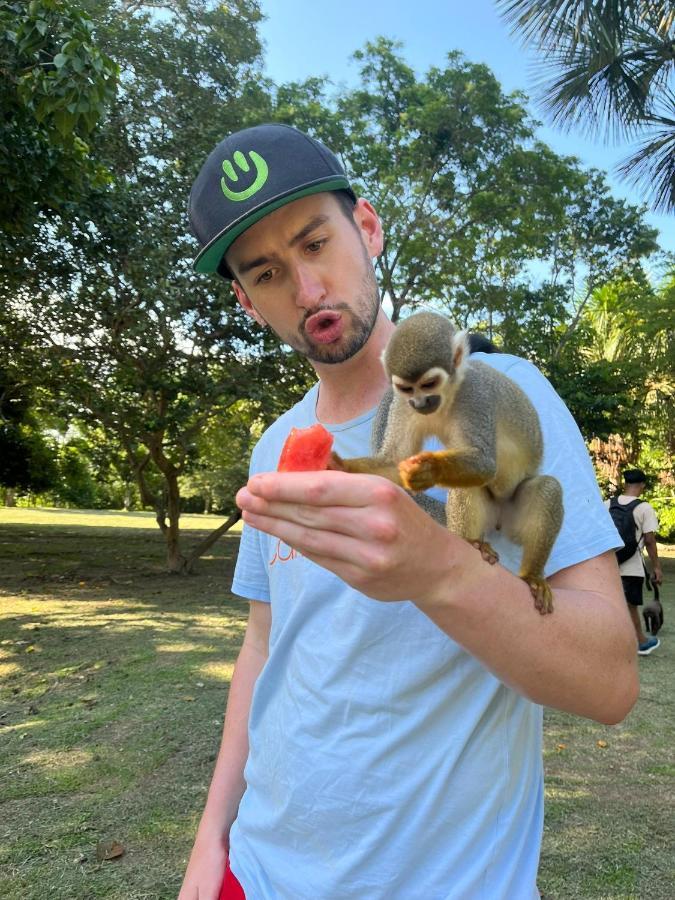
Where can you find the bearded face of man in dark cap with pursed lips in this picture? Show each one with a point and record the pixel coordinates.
(305, 270)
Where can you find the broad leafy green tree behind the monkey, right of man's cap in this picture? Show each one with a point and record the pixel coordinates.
(472, 204)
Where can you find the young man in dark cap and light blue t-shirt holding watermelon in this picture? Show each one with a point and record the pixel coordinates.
(392, 749)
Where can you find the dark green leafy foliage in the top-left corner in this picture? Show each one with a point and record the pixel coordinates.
(56, 85)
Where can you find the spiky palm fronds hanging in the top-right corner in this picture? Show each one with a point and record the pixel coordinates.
(607, 66)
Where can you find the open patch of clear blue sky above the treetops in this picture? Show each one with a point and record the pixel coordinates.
(304, 39)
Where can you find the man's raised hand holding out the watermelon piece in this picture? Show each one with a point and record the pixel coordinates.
(363, 528)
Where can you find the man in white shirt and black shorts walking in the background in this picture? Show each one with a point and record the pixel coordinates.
(632, 569)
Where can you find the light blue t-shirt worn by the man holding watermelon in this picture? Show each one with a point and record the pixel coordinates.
(386, 762)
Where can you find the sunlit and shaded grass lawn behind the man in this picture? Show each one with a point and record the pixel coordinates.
(113, 681)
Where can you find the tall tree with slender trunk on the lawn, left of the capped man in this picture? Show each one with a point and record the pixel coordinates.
(133, 340)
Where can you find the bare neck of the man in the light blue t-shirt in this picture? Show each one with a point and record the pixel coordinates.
(349, 389)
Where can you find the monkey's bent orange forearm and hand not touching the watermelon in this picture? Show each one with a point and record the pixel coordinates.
(449, 468)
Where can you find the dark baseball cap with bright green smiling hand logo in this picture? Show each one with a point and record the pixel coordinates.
(250, 174)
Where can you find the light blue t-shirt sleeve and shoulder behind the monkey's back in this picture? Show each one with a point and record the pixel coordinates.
(587, 529)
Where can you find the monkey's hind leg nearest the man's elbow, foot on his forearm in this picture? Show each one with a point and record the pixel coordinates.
(533, 519)
